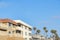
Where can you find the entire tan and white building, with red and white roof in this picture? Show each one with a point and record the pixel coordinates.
(15, 28)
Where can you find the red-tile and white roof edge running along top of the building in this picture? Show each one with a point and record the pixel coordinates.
(15, 22)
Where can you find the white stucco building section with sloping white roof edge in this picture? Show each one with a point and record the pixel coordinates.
(25, 29)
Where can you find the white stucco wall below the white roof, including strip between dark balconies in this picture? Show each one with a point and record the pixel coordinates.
(25, 31)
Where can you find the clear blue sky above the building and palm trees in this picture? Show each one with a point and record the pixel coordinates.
(38, 13)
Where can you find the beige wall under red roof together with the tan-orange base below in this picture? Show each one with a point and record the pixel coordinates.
(5, 35)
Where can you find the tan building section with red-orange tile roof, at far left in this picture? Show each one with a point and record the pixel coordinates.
(7, 27)
